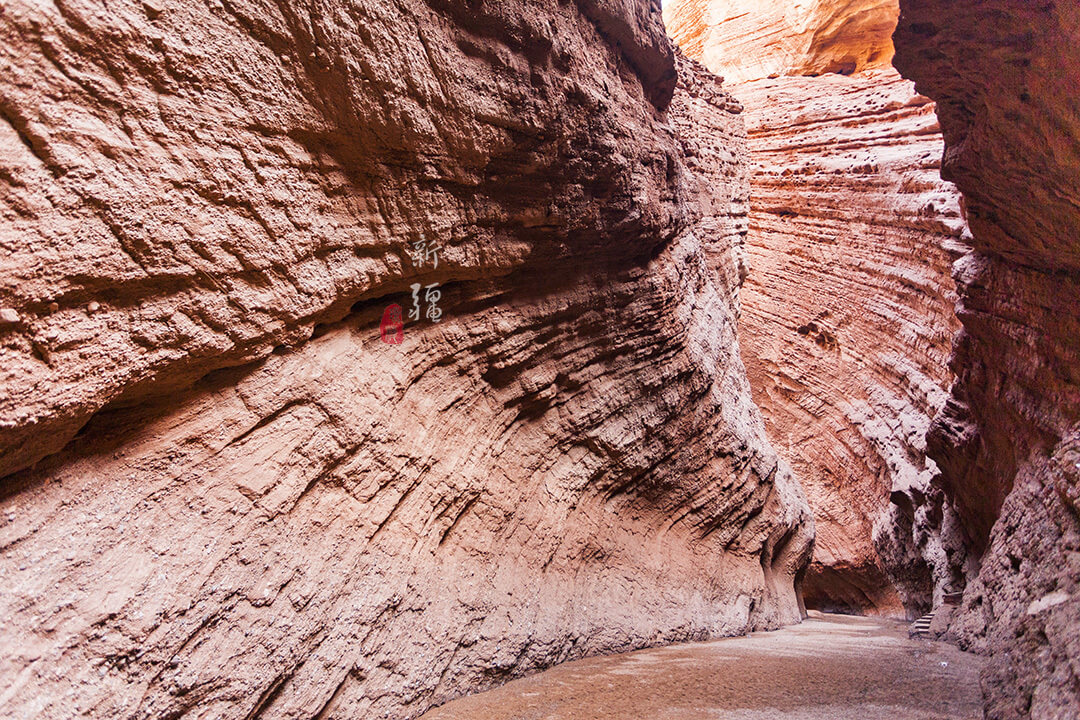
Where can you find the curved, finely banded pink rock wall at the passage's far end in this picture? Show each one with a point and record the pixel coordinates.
(848, 321)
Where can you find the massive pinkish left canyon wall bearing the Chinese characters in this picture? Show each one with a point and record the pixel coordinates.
(268, 512)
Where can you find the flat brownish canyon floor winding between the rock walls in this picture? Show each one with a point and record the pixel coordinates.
(831, 668)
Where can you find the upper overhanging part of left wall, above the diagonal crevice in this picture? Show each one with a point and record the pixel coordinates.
(155, 157)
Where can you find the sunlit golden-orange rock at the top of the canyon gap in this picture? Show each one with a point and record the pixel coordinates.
(750, 39)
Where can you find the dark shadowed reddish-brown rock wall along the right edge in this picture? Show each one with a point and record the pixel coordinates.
(1004, 75)
